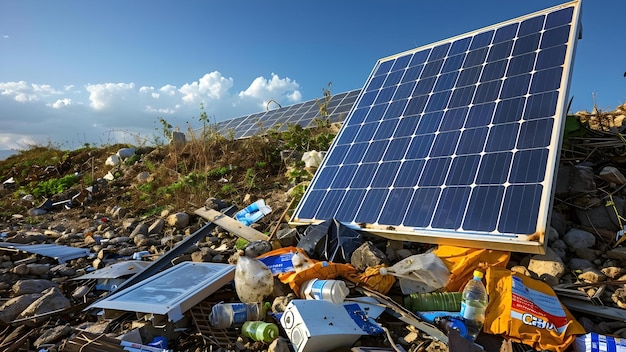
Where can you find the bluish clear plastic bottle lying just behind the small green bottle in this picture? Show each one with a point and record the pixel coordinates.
(224, 315)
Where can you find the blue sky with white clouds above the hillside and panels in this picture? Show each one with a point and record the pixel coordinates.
(75, 72)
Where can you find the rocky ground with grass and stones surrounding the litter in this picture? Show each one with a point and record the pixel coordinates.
(122, 202)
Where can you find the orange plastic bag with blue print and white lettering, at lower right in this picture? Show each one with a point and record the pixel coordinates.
(528, 311)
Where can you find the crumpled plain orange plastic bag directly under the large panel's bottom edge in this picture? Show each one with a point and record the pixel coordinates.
(463, 261)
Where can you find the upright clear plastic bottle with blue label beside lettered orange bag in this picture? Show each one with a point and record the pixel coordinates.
(473, 305)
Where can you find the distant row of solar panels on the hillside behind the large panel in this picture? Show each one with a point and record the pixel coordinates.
(302, 114)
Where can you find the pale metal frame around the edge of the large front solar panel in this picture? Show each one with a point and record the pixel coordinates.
(531, 242)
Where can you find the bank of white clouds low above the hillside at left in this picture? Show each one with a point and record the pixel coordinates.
(121, 111)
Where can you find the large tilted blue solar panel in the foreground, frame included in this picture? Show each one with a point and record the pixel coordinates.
(455, 142)
